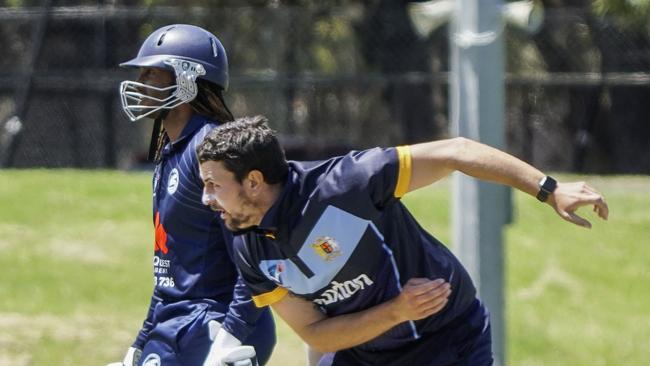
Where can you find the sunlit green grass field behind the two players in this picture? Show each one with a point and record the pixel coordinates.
(75, 270)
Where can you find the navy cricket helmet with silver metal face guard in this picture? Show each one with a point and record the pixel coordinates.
(190, 52)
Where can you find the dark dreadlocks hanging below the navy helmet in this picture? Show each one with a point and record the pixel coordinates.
(209, 103)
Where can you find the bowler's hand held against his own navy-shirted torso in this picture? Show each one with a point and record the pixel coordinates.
(422, 297)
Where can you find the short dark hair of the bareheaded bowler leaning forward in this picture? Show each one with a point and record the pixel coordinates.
(243, 145)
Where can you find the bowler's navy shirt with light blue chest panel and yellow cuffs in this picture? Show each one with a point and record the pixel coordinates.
(339, 236)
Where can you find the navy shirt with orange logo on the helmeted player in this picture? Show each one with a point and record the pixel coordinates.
(192, 260)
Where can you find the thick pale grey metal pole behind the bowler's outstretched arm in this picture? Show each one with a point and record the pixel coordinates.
(477, 112)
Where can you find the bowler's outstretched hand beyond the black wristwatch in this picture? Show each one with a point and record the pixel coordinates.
(568, 197)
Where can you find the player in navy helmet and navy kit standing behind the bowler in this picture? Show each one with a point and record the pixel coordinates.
(200, 311)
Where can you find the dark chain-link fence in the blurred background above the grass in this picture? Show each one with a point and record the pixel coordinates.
(328, 78)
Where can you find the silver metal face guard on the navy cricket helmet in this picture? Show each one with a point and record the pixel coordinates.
(133, 94)
